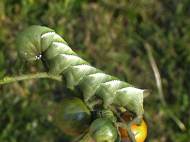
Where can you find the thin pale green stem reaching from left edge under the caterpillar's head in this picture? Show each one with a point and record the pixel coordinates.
(12, 79)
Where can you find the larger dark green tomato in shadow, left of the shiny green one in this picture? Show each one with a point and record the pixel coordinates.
(71, 116)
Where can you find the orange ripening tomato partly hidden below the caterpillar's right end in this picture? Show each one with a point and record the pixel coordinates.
(139, 131)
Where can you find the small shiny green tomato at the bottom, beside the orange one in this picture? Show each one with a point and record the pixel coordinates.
(103, 130)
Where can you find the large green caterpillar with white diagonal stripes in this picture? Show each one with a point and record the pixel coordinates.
(43, 43)
